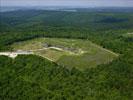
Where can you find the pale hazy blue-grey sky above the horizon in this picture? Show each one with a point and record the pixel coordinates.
(82, 3)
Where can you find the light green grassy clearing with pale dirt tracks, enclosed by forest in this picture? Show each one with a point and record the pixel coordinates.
(81, 54)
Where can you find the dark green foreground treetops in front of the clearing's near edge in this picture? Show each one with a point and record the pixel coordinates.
(35, 78)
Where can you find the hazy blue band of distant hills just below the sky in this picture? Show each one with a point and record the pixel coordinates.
(70, 9)
